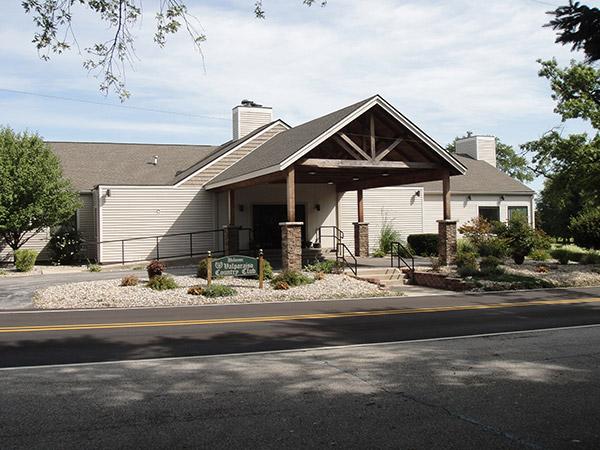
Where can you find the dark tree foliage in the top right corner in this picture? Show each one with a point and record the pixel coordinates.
(579, 26)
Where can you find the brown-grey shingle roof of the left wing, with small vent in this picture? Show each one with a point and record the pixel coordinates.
(88, 164)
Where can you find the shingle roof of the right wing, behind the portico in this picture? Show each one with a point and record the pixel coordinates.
(481, 178)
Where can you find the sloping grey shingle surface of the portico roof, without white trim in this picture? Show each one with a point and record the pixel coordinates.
(285, 144)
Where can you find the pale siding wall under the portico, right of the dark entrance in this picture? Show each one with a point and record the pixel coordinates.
(402, 207)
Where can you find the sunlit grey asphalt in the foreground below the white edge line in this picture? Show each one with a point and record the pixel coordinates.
(533, 390)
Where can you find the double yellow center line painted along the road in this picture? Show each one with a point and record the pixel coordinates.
(334, 315)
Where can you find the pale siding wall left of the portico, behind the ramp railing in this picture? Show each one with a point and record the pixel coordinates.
(156, 211)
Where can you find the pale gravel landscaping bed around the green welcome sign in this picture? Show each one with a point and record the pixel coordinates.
(109, 293)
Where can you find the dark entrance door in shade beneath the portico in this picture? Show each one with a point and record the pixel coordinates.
(265, 224)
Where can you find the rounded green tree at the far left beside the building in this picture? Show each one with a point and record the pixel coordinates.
(33, 193)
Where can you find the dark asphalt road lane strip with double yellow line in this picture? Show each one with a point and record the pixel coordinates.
(37, 338)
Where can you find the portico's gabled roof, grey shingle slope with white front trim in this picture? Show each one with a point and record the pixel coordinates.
(288, 146)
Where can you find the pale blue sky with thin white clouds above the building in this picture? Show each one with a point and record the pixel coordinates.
(449, 66)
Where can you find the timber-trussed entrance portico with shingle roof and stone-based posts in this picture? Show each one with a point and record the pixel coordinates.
(364, 146)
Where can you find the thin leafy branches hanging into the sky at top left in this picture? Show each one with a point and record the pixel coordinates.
(109, 57)
